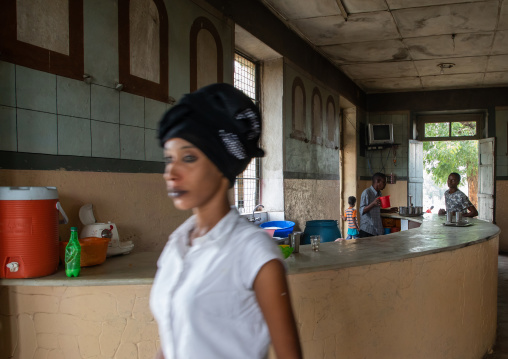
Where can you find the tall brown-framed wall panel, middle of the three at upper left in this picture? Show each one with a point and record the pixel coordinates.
(143, 48)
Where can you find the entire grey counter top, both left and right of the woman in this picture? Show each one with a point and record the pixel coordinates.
(431, 237)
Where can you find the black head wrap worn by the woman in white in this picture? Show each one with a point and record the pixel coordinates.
(222, 122)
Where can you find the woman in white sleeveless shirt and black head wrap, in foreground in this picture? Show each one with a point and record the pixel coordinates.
(220, 290)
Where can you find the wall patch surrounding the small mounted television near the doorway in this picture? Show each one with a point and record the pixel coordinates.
(383, 160)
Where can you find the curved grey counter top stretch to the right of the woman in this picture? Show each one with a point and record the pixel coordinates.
(431, 237)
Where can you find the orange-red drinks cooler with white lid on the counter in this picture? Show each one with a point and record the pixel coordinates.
(29, 231)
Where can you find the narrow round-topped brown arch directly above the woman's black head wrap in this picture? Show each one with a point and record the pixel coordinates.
(206, 54)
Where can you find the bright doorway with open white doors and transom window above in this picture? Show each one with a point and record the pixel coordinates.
(453, 142)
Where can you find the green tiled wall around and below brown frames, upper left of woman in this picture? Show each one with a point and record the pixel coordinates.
(43, 113)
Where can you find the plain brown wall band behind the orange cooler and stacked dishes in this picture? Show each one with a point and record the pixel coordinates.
(136, 202)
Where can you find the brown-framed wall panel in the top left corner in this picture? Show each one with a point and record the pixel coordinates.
(43, 35)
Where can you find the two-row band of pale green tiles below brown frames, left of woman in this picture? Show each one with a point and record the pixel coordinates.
(50, 114)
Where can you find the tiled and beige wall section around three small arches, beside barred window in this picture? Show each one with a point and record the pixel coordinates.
(311, 170)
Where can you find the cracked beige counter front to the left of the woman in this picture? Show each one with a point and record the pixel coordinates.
(77, 322)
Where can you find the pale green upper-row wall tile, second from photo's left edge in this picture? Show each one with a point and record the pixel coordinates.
(35, 90)
